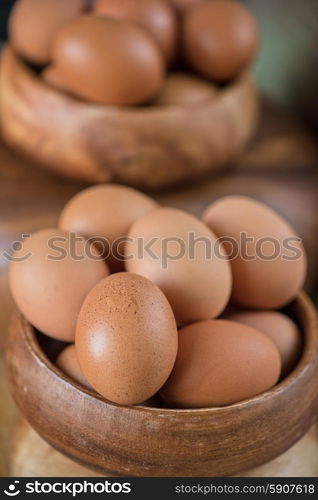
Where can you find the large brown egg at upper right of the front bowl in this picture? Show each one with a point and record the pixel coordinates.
(267, 257)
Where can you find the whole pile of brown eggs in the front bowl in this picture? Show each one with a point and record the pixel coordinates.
(148, 314)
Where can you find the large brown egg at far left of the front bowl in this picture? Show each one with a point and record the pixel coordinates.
(50, 276)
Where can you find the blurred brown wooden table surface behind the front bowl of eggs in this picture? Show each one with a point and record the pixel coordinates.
(280, 167)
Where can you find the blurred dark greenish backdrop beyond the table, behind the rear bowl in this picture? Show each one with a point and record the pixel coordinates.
(287, 67)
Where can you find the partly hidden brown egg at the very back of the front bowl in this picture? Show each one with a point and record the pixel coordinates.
(106, 212)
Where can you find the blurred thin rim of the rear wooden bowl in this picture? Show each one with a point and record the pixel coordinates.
(133, 111)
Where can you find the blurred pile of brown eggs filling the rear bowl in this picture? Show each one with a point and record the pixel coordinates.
(130, 52)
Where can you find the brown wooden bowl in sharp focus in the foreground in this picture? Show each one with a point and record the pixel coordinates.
(139, 441)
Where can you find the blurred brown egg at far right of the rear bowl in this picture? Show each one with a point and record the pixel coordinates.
(220, 39)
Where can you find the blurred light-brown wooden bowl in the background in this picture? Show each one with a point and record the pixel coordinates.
(149, 147)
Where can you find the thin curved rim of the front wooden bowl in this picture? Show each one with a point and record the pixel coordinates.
(310, 345)
